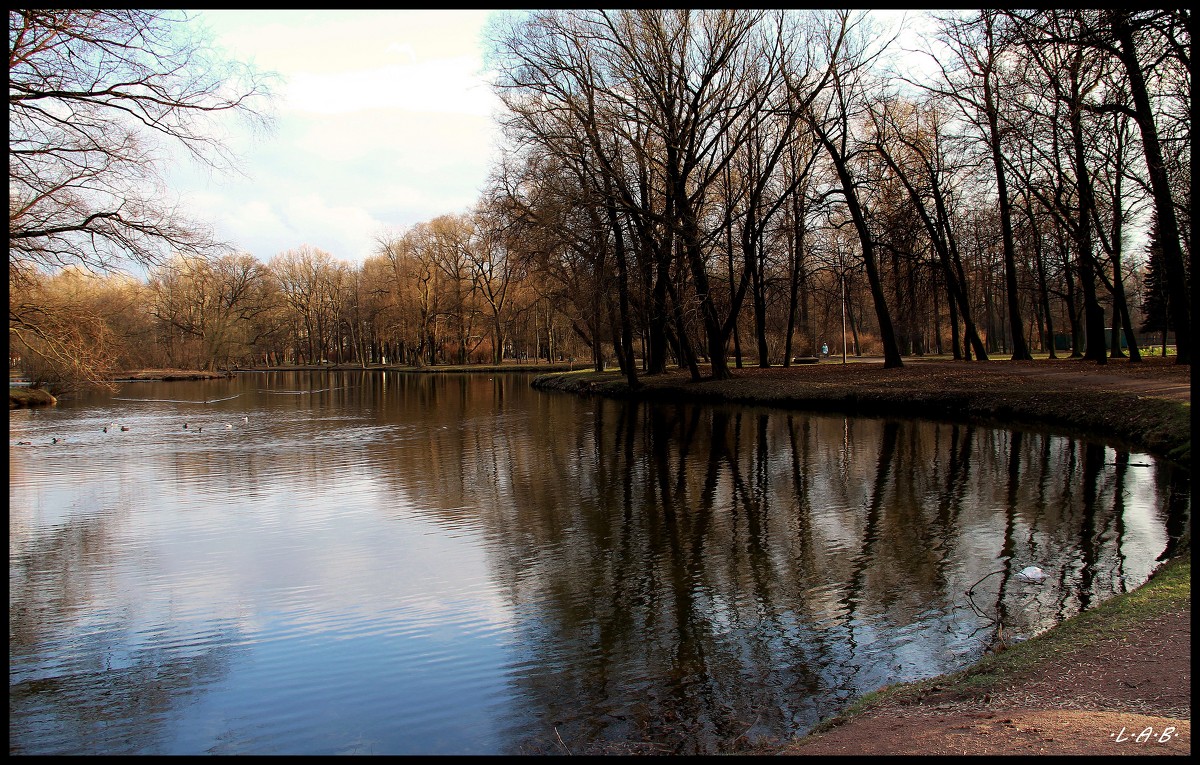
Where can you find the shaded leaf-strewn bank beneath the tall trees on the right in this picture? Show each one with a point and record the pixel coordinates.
(1064, 396)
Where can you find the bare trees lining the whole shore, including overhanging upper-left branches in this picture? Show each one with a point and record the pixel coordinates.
(676, 188)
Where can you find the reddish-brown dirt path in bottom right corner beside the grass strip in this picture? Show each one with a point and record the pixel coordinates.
(1131, 695)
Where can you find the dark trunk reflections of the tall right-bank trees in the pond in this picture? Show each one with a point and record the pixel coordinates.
(706, 575)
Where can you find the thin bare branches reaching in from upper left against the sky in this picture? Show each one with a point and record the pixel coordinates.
(97, 100)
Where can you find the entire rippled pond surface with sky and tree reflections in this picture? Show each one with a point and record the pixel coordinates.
(458, 564)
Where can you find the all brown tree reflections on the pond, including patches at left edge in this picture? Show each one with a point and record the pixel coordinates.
(686, 579)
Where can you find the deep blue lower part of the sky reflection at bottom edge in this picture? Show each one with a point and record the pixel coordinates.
(310, 670)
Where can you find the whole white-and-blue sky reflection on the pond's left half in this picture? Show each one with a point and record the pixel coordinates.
(371, 611)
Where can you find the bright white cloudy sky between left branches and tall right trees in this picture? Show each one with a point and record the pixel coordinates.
(382, 119)
